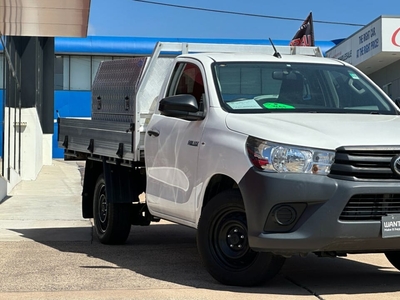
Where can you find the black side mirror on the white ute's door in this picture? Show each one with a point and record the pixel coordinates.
(182, 106)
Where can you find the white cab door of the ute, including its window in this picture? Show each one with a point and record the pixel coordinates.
(172, 149)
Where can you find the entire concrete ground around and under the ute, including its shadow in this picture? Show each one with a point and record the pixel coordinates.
(47, 252)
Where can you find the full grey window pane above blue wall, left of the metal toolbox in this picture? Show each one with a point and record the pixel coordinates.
(80, 73)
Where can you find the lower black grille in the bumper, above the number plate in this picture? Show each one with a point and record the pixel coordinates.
(370, 207)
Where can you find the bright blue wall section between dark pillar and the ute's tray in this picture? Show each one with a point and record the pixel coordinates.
(69, 104)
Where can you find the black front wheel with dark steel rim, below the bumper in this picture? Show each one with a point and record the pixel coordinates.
(222, 241)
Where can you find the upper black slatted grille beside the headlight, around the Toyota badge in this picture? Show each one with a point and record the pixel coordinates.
(364, 163)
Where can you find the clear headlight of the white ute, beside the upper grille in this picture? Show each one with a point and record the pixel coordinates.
(287, 158)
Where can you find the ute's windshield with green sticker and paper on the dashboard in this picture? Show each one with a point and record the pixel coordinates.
(245, 87)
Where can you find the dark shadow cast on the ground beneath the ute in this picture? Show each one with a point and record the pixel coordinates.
(168, 252)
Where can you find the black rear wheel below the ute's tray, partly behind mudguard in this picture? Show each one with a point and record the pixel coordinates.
(111, 220)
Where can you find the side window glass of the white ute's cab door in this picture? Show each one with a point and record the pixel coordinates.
(187, 79)
